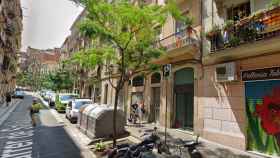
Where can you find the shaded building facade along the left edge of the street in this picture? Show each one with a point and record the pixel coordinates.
(10, 43)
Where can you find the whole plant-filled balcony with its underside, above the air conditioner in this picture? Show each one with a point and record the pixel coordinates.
(255, 35)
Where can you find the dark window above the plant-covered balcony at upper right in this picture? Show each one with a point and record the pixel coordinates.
(239, 12)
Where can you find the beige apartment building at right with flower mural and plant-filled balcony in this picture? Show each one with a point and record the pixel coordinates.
(240, 95)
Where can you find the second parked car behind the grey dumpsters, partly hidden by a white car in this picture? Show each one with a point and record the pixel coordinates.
(62, 100)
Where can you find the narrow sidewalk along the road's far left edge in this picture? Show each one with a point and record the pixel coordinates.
(5, 111)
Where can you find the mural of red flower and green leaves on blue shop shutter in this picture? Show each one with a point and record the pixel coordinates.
(263, 115)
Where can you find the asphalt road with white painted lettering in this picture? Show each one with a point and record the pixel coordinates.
(48, 139)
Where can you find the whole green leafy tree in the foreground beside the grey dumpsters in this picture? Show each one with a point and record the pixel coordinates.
(127, 33)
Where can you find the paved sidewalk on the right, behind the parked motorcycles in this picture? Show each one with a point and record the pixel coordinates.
(174, 137)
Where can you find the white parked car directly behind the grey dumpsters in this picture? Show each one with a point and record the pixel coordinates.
(72, 109)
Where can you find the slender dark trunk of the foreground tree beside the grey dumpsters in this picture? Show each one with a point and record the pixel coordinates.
(115, 117)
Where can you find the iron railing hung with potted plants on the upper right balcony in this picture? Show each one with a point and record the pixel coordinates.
(259, 26)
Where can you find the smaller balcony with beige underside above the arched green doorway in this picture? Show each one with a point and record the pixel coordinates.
(179, 46)
